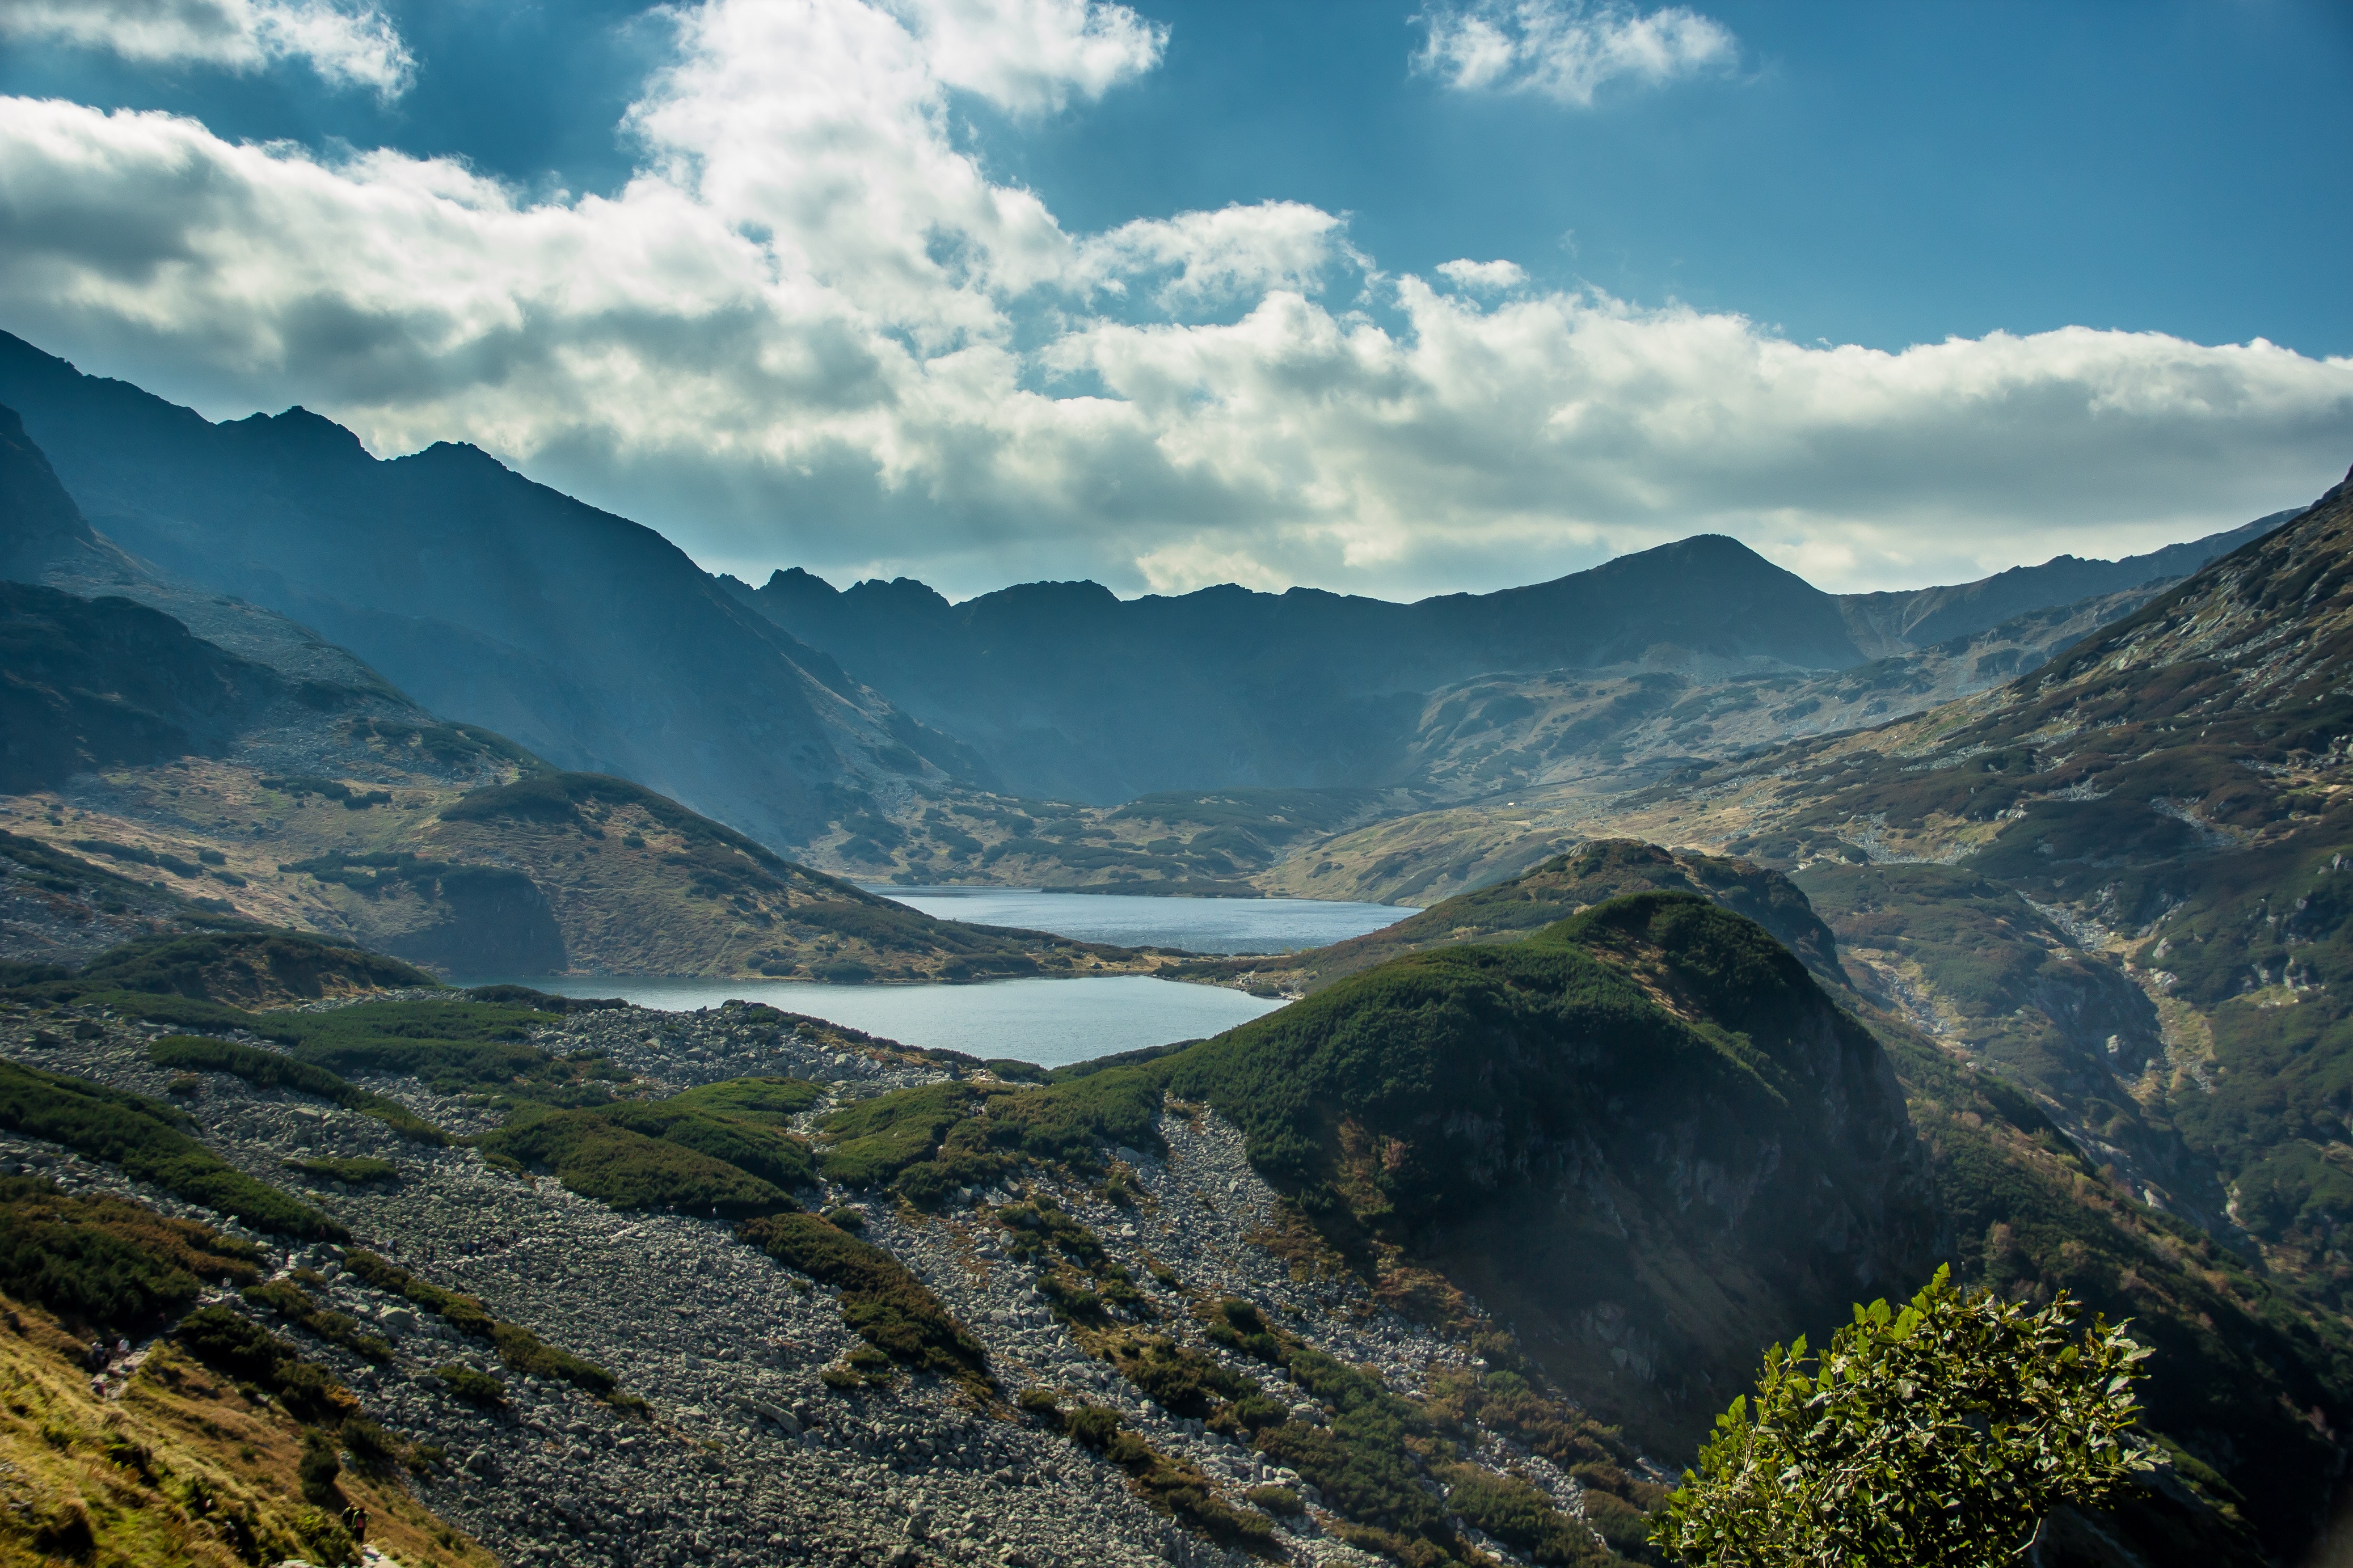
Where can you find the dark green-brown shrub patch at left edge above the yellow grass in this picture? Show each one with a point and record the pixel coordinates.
(105, 1264)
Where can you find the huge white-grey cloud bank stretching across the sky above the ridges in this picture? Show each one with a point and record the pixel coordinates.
(813, 330)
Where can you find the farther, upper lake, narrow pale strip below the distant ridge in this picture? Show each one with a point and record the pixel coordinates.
(1128, 920)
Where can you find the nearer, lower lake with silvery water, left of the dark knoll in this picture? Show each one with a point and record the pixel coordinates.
(1036, 1021)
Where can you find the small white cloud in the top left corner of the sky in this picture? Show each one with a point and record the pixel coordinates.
(352, 46)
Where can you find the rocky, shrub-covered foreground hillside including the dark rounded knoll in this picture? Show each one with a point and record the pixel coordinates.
(1425, 1235)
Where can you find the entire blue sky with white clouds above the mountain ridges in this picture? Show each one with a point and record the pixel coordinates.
(1404, 300)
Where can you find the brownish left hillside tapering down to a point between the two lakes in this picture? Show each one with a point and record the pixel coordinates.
(156, 779)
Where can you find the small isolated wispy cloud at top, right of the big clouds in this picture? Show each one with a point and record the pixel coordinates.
(1566, 48)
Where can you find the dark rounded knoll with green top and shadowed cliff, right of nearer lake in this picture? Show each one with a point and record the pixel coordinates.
(1644, 1137)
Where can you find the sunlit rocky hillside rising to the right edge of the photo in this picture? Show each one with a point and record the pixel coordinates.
(2112, 878)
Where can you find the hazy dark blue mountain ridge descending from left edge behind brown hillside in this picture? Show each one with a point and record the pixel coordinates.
(484, 596)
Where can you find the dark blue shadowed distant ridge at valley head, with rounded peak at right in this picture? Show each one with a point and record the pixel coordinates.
(1076, 695)
